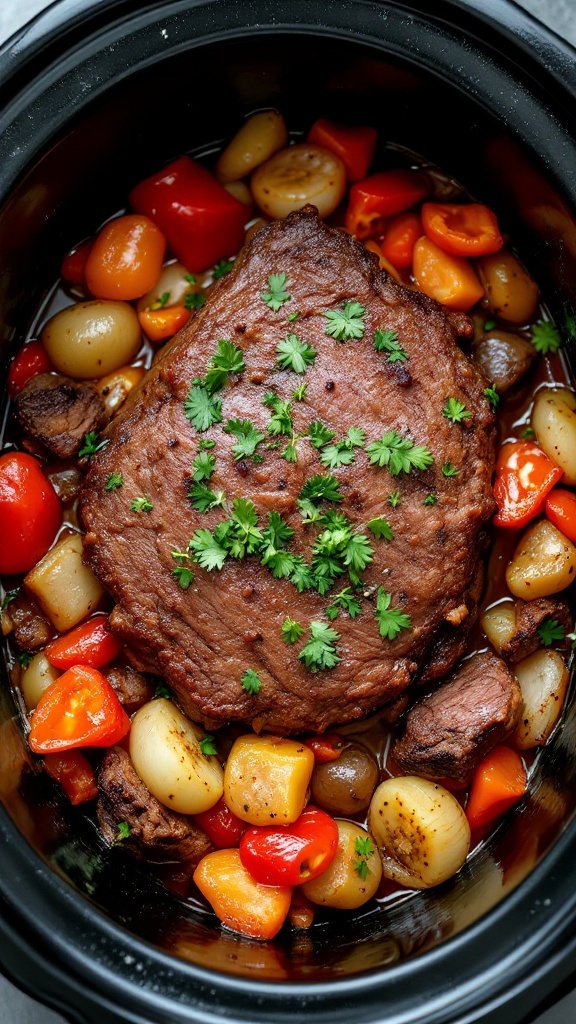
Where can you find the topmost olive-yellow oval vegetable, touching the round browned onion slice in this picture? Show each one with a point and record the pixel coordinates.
(261, 137)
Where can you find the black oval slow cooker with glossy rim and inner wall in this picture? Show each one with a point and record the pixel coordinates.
(96, 97)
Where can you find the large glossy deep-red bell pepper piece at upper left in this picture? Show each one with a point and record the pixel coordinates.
(202, 223)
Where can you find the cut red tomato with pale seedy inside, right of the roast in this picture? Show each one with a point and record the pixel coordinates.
(524, 477)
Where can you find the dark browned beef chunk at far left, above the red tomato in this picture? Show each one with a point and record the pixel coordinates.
(58, 412)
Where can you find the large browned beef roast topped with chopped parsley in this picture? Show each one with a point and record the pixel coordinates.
(205, 638)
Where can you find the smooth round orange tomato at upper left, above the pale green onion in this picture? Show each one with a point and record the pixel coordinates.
(127, 259)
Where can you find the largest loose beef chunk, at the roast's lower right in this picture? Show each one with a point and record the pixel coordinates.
(448, 733)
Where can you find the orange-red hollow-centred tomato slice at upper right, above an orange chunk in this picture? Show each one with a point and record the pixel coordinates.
(463, 229)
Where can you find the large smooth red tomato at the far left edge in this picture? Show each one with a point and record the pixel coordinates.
(30, 513)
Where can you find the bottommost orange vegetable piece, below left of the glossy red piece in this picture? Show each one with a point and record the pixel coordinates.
(238, 901)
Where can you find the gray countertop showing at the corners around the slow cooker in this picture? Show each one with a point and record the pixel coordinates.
(558, 15)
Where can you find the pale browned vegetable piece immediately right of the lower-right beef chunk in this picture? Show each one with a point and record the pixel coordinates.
(544, 680)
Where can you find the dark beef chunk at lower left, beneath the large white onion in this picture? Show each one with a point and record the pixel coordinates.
(156, 833)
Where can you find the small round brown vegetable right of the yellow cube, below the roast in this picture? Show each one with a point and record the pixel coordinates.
(346, 786)
